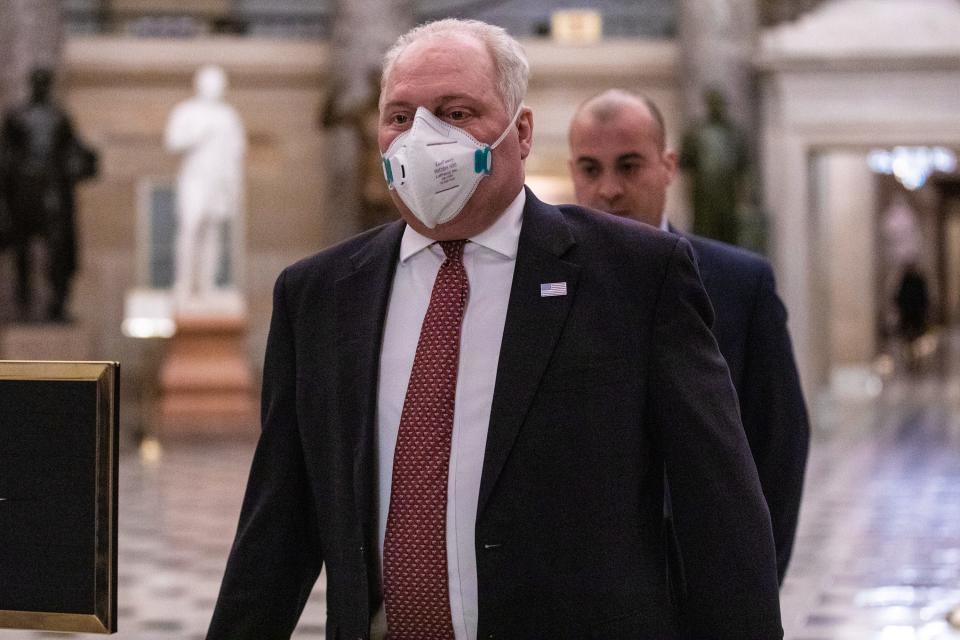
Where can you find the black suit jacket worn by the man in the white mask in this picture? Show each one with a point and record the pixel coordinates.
(597, 392)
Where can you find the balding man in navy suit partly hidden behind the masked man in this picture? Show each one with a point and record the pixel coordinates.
(620, 163)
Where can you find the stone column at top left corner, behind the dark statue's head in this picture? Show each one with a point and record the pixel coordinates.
(31, 35)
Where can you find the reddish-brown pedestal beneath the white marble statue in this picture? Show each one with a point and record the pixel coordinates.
(205, 382)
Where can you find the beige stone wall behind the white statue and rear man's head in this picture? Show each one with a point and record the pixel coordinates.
(120, 92)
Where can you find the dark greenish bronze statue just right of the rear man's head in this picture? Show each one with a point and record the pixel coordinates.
(714, 154)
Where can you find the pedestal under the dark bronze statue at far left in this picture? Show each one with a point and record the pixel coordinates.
(41, 341)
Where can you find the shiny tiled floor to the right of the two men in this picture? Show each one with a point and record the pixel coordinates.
(878, 549)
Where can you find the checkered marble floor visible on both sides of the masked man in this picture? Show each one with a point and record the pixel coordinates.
(877, 555)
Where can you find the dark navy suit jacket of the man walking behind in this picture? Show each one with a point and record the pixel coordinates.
(751, 329)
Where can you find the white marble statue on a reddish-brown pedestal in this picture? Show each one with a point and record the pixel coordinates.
(209, 134)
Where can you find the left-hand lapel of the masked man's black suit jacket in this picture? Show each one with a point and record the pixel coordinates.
(361, 303)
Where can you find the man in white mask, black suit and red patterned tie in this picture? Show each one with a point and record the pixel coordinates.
(582, 366)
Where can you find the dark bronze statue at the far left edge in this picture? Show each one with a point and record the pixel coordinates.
(41, 160)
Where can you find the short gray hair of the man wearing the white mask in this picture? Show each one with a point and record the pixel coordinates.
(509, 59)
